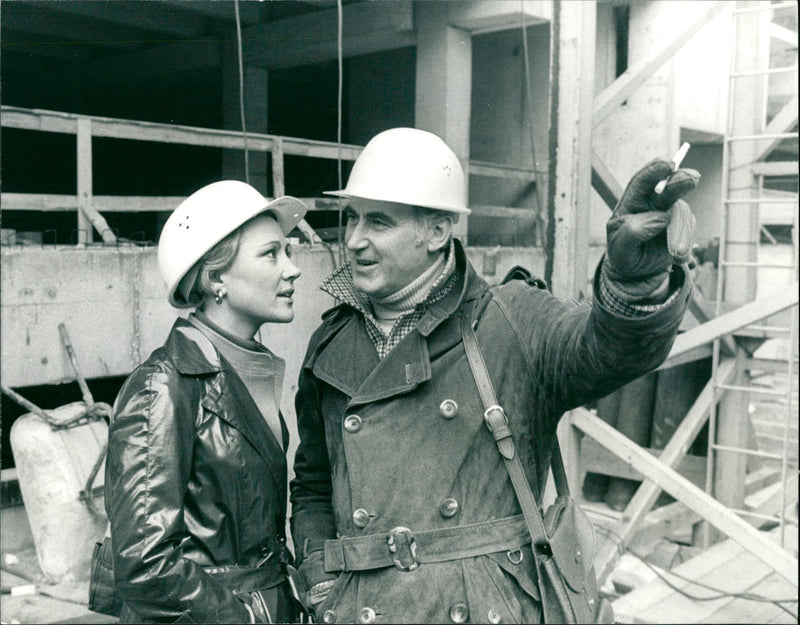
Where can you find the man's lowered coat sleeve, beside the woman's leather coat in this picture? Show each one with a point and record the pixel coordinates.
(312, 518)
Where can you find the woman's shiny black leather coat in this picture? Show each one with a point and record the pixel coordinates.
(195, 481)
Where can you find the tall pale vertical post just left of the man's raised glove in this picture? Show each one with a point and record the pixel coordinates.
(572, 44)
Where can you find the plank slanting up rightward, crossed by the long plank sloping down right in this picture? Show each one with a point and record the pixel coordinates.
(648, 492)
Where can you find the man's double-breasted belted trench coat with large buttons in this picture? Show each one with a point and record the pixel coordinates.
(401, 442)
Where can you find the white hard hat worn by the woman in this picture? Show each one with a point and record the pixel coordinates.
(205, 218)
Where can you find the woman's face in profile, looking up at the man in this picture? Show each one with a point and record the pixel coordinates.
(259, 283)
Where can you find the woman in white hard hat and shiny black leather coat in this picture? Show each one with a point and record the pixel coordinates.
(196, 472)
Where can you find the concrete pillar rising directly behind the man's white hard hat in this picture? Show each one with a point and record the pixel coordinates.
(444, 82)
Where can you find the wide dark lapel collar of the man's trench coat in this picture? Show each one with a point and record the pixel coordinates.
(366, 378)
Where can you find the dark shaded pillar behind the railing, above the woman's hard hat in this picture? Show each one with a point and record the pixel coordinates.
(255, 101)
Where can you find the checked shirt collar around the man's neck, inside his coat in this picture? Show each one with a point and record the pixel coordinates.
(340, 285)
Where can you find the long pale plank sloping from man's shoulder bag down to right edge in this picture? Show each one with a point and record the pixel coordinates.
(681, 489)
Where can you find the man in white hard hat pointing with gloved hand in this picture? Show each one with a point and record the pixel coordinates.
(395, 466)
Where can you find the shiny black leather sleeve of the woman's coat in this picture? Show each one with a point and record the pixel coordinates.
(147, 473)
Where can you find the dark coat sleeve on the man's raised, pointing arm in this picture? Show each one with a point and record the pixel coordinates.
(579, 352)
